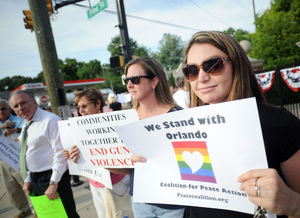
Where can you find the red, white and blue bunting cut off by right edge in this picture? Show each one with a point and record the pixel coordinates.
(291, 77)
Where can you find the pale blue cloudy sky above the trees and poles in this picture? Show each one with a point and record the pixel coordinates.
(85, 39)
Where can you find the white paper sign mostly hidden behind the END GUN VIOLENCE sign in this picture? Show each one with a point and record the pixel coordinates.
(100, 174)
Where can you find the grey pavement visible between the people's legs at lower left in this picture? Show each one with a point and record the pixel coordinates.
(82, 194)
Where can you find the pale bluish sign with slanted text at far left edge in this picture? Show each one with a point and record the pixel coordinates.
(9, 150)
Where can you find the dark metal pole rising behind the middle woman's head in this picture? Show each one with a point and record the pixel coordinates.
(123, 31)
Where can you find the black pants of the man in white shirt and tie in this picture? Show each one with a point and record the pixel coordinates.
(40, 182)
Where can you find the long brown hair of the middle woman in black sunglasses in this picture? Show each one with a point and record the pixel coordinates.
(153, 67)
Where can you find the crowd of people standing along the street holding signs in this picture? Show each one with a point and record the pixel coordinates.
(215, 70)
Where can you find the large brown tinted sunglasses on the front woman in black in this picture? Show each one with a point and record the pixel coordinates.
(212, 65)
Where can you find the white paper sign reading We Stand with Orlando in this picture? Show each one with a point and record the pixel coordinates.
(194, 156)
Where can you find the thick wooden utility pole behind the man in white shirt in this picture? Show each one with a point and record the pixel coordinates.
(47, 50)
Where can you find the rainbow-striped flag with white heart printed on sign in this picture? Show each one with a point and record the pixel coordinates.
(193, 161)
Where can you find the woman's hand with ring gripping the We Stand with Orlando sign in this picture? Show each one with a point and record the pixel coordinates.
(265, 188)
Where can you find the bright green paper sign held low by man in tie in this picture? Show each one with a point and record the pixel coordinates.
(46, 208)
